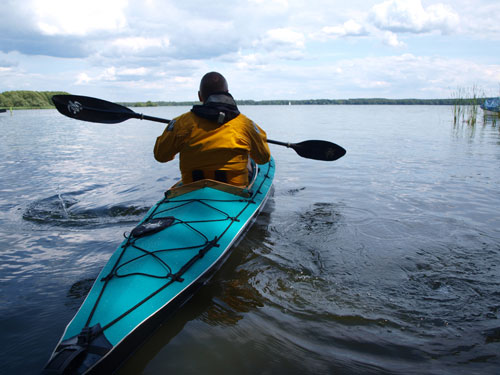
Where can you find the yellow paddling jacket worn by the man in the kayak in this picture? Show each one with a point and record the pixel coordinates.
(206, 146)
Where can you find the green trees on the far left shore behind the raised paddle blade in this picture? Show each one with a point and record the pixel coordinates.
(27, 99)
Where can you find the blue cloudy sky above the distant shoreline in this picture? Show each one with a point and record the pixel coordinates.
(138, 50)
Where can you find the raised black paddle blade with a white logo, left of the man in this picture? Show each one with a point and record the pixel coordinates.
(90, 109)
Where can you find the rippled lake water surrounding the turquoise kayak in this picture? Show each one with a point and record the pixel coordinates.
(384, 261)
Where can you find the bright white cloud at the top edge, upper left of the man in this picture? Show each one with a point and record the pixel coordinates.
(63, 17)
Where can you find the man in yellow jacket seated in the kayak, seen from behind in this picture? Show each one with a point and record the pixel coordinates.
(214, 139)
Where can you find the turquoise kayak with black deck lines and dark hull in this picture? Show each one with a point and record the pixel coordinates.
(181, 242)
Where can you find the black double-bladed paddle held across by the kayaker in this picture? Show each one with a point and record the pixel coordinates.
(90, 109)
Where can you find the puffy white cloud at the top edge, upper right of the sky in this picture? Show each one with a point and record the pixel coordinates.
(411, 16)
